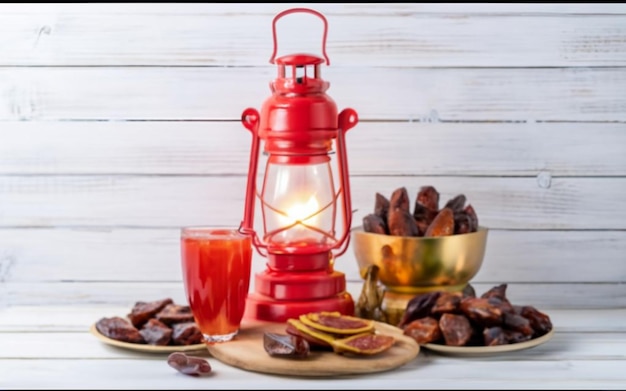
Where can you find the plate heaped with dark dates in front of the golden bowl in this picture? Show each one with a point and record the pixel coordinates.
(463, 323)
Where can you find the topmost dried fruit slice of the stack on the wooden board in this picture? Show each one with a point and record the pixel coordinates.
(337, 323)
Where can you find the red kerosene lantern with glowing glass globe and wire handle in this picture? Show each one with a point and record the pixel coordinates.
(300, 197)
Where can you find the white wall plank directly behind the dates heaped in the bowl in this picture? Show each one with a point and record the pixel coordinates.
(109, 201)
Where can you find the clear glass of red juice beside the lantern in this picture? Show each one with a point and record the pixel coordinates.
(216, 265)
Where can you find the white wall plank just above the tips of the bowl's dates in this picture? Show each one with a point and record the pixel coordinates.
(398, 148)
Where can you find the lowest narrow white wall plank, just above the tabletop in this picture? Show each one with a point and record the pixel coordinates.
(570, 295)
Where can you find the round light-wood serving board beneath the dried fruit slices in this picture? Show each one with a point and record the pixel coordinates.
(246, 351)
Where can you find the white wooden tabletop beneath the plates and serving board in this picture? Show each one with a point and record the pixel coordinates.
(51, 347)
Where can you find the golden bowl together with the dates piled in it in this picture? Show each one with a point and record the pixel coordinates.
(423, 246)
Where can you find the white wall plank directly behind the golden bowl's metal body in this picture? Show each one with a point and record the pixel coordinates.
(145, 255)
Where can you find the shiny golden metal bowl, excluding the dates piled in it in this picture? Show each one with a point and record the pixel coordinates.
(414, 265)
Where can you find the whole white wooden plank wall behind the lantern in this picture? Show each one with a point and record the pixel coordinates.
(119, 124)
